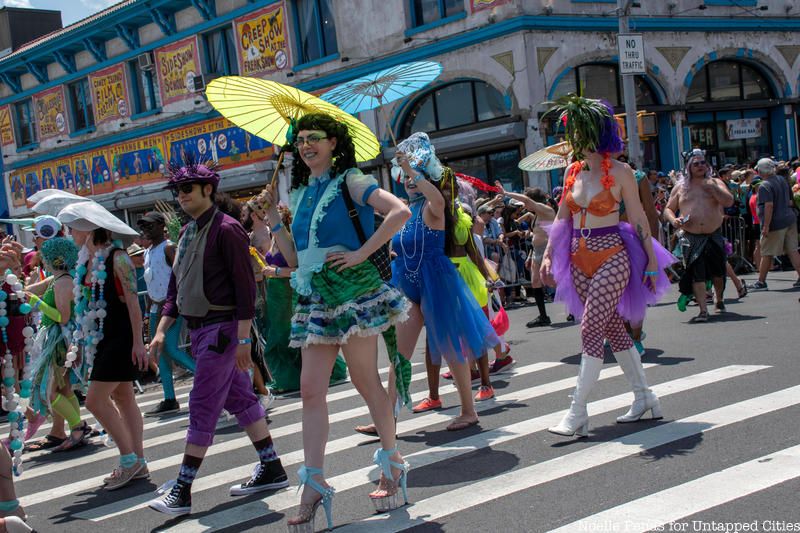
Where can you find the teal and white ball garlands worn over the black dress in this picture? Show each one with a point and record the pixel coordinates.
(90, 307)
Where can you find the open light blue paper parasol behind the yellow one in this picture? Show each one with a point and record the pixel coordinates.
(380, 88)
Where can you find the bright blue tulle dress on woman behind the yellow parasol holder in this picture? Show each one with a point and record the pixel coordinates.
(456, 326)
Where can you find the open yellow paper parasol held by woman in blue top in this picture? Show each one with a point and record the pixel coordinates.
(266, 108)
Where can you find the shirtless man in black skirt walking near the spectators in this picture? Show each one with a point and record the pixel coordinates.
(700, 198)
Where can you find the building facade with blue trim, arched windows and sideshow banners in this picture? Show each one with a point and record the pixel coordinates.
(102, 106)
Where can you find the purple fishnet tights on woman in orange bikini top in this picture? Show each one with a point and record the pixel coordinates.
(600, 295)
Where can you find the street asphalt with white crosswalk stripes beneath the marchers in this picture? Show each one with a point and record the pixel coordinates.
(724, 453)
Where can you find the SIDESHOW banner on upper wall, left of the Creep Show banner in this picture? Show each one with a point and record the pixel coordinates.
(177, 65)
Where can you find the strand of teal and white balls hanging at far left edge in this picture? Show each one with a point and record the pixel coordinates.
(13, 402)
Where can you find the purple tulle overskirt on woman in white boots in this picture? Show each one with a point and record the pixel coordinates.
(637, 296)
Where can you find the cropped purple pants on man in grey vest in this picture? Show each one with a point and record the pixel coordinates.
(218, 383)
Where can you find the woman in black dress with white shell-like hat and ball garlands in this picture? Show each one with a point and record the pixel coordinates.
(107, 310)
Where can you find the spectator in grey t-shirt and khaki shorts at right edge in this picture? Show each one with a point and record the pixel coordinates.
(778, 222)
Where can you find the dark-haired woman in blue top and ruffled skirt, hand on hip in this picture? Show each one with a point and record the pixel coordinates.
(342, 302)
